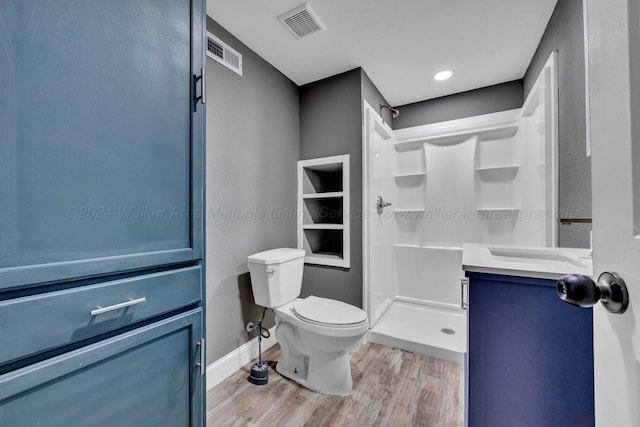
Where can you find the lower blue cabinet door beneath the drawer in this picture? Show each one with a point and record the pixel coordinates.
(147, 377)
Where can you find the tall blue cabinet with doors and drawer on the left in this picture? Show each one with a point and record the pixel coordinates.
(102, 124)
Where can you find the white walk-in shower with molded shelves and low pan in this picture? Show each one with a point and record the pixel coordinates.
(484, 179)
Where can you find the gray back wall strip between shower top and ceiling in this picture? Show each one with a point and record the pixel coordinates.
(505, 96)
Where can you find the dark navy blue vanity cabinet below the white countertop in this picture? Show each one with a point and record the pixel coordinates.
(530, 359)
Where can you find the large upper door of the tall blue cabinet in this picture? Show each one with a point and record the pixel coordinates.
(101, 138)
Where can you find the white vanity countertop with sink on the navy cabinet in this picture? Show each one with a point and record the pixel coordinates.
(526, 261)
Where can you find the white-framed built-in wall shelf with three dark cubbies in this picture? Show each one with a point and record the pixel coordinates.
(323, 201)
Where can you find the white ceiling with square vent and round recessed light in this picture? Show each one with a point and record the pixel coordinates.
(399, 43)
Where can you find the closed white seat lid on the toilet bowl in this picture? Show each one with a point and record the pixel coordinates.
(328, 312)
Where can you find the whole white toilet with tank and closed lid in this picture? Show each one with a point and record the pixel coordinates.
(314, 333)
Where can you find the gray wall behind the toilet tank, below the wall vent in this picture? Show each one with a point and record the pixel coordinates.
(252, 149)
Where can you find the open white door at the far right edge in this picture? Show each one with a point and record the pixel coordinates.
(614, 47)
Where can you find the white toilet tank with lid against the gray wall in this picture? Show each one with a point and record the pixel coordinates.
(276, 276)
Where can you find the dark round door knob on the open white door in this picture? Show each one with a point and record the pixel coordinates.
(582, 291)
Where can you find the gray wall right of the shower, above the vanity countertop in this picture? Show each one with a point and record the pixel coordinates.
(564, 33)
